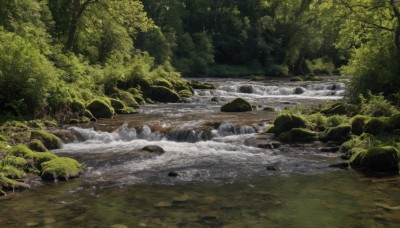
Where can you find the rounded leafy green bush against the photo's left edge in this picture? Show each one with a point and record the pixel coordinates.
(25, 75)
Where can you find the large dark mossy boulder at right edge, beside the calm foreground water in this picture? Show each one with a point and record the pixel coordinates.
(384, 158)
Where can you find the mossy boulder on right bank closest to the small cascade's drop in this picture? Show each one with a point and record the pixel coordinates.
(286, 121)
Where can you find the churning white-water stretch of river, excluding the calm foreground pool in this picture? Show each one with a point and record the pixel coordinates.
(196, 152)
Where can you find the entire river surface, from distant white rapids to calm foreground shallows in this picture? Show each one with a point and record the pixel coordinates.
(213, 172)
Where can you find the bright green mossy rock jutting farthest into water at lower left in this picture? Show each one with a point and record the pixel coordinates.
(61, 169)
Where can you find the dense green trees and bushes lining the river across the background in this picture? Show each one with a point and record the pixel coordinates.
(61, 53)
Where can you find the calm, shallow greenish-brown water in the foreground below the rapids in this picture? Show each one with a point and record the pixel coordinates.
(332, 199)
